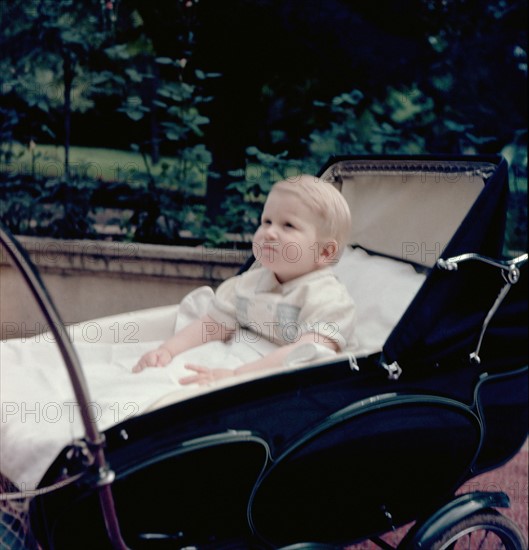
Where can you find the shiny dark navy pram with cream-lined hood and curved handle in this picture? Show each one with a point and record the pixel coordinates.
(343, 449)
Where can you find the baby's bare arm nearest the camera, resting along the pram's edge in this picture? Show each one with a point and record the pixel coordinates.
(205, 375)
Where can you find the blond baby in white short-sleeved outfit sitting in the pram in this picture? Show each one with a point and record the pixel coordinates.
(291, 295)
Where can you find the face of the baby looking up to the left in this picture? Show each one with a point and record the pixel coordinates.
(287, 241)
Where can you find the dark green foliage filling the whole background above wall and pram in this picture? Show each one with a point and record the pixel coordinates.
(72, 56)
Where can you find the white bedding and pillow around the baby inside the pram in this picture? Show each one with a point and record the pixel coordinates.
(39, 414)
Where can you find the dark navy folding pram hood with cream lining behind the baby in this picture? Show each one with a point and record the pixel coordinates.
(429, 209)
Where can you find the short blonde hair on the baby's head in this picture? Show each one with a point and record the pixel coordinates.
(326, 202)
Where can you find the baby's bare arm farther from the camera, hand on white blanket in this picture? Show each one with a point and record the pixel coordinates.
(195, 334)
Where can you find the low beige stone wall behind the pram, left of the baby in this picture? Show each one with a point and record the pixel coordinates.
(91, 279)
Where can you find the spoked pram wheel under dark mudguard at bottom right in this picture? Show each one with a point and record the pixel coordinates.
(486, 529)
